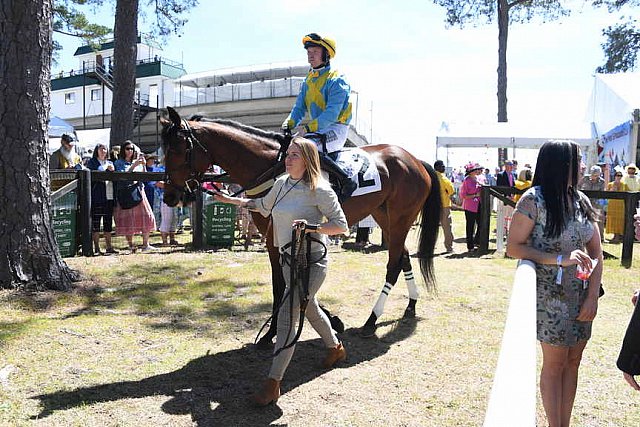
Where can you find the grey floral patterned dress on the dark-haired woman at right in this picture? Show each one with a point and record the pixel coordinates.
(558, 305)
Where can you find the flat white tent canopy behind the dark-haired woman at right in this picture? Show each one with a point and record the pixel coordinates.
(512, 135)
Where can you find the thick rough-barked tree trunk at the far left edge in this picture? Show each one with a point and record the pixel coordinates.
(29, 256)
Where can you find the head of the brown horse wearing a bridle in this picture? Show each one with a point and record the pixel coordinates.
(185, 158)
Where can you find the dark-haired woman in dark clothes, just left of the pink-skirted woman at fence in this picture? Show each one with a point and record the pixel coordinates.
(102, 199)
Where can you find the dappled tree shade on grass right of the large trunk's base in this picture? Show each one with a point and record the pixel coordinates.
(169, 295)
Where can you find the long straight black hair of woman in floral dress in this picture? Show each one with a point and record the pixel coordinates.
(557, 172)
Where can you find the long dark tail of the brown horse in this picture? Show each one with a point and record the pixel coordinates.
(429, 226)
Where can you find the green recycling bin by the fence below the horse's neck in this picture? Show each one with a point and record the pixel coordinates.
(219, 223)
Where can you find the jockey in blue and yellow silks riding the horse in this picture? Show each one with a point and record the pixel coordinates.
(325, 96)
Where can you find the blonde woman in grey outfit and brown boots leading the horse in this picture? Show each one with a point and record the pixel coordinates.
(300, 196)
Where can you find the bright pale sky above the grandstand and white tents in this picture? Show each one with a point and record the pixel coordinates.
(411, 72)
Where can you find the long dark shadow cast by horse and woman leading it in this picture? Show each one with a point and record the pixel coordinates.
(214, 389)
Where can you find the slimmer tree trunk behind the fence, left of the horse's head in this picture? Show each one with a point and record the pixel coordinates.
(125, 35)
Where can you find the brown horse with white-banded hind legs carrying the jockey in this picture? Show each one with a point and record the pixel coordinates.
(409, 188)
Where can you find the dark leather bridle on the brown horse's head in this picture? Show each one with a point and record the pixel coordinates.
(194, 180)
